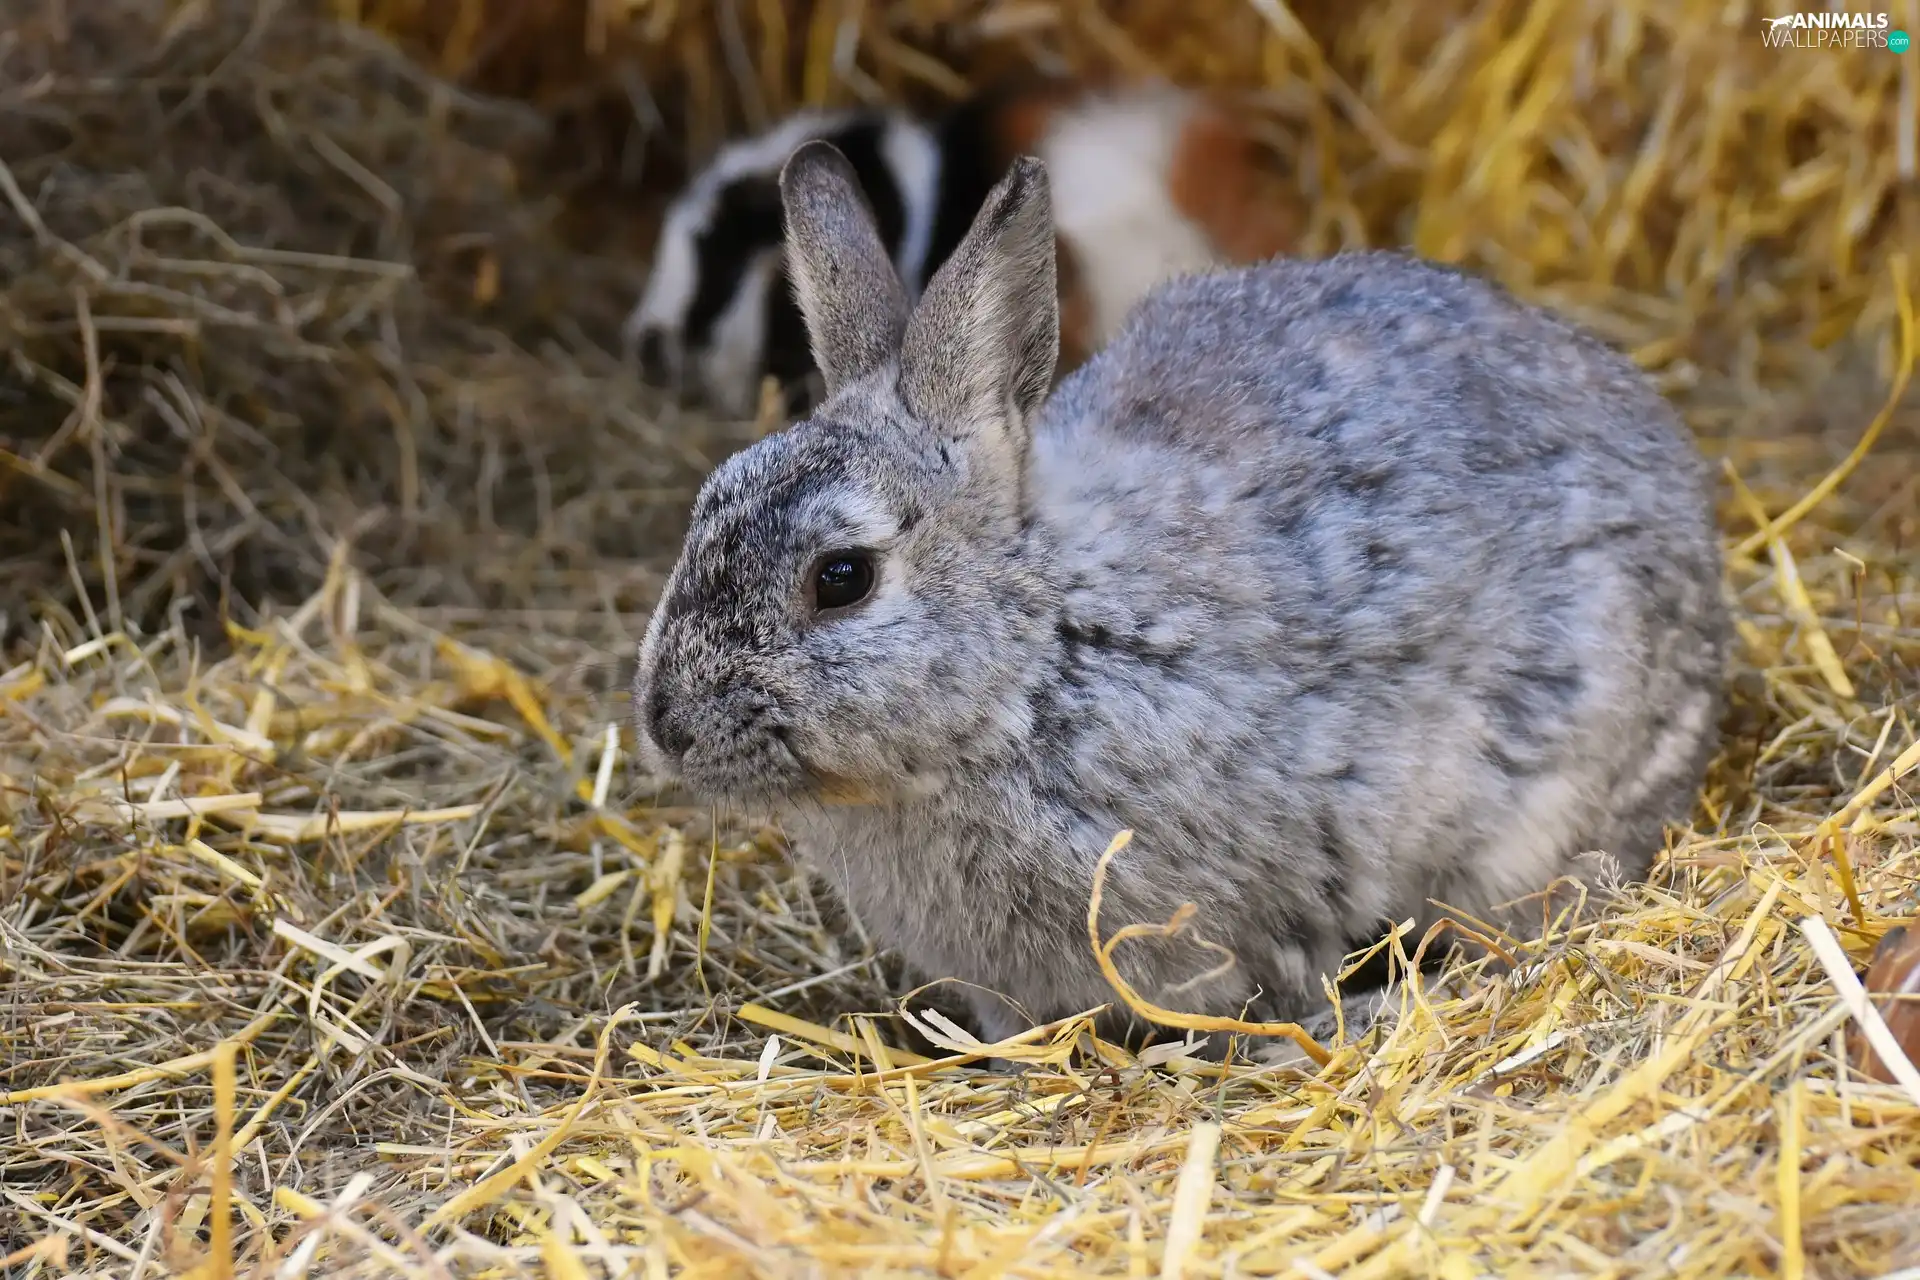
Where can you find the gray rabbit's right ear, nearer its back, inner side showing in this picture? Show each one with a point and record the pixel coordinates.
(980, 350)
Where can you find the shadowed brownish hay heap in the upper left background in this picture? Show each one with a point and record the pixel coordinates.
(270, 287)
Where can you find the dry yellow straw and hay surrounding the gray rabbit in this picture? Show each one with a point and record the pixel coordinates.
(337, 936)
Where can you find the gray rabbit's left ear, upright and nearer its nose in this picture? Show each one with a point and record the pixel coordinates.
(844, 279)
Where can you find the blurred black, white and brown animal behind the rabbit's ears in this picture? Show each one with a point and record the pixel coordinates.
(1149, 183)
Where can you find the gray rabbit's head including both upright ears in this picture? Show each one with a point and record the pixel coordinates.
(853, 613)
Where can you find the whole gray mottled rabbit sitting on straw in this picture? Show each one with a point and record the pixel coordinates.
(1345, 584)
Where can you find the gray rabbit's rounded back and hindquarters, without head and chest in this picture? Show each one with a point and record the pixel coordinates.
(1385, 586)
